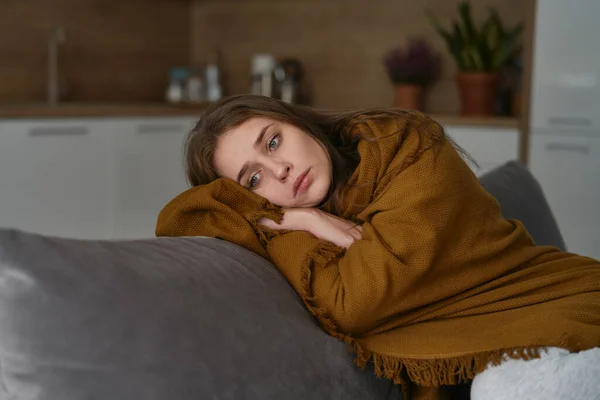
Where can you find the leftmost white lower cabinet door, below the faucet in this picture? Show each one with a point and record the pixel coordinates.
(55, 177)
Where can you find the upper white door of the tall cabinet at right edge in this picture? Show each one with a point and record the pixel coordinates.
(566, 65)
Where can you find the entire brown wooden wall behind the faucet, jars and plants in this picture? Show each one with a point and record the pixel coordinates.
(121, 50)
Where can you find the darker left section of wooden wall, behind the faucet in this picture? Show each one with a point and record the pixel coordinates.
(116, 50)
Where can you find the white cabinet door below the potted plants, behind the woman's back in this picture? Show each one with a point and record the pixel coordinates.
(489, 147)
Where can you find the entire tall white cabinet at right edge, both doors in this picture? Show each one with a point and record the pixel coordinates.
(564, 145)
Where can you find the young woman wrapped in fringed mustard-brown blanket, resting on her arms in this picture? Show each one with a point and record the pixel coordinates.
(382, 228)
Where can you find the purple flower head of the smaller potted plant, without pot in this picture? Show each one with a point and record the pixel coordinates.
(417, 64)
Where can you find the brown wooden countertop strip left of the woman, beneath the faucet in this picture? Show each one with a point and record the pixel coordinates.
(67, 110)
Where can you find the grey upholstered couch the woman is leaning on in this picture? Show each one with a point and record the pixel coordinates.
(184, 318)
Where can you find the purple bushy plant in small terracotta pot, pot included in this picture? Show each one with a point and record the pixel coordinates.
(411, 70)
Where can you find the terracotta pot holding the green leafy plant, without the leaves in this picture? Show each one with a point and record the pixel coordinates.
(477, 92)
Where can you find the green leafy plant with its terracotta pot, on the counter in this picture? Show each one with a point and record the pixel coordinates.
(480, 53)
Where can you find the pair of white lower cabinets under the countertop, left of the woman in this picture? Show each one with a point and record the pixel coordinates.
(90, 179)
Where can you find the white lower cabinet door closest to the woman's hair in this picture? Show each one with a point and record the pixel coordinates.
(149, 171)
